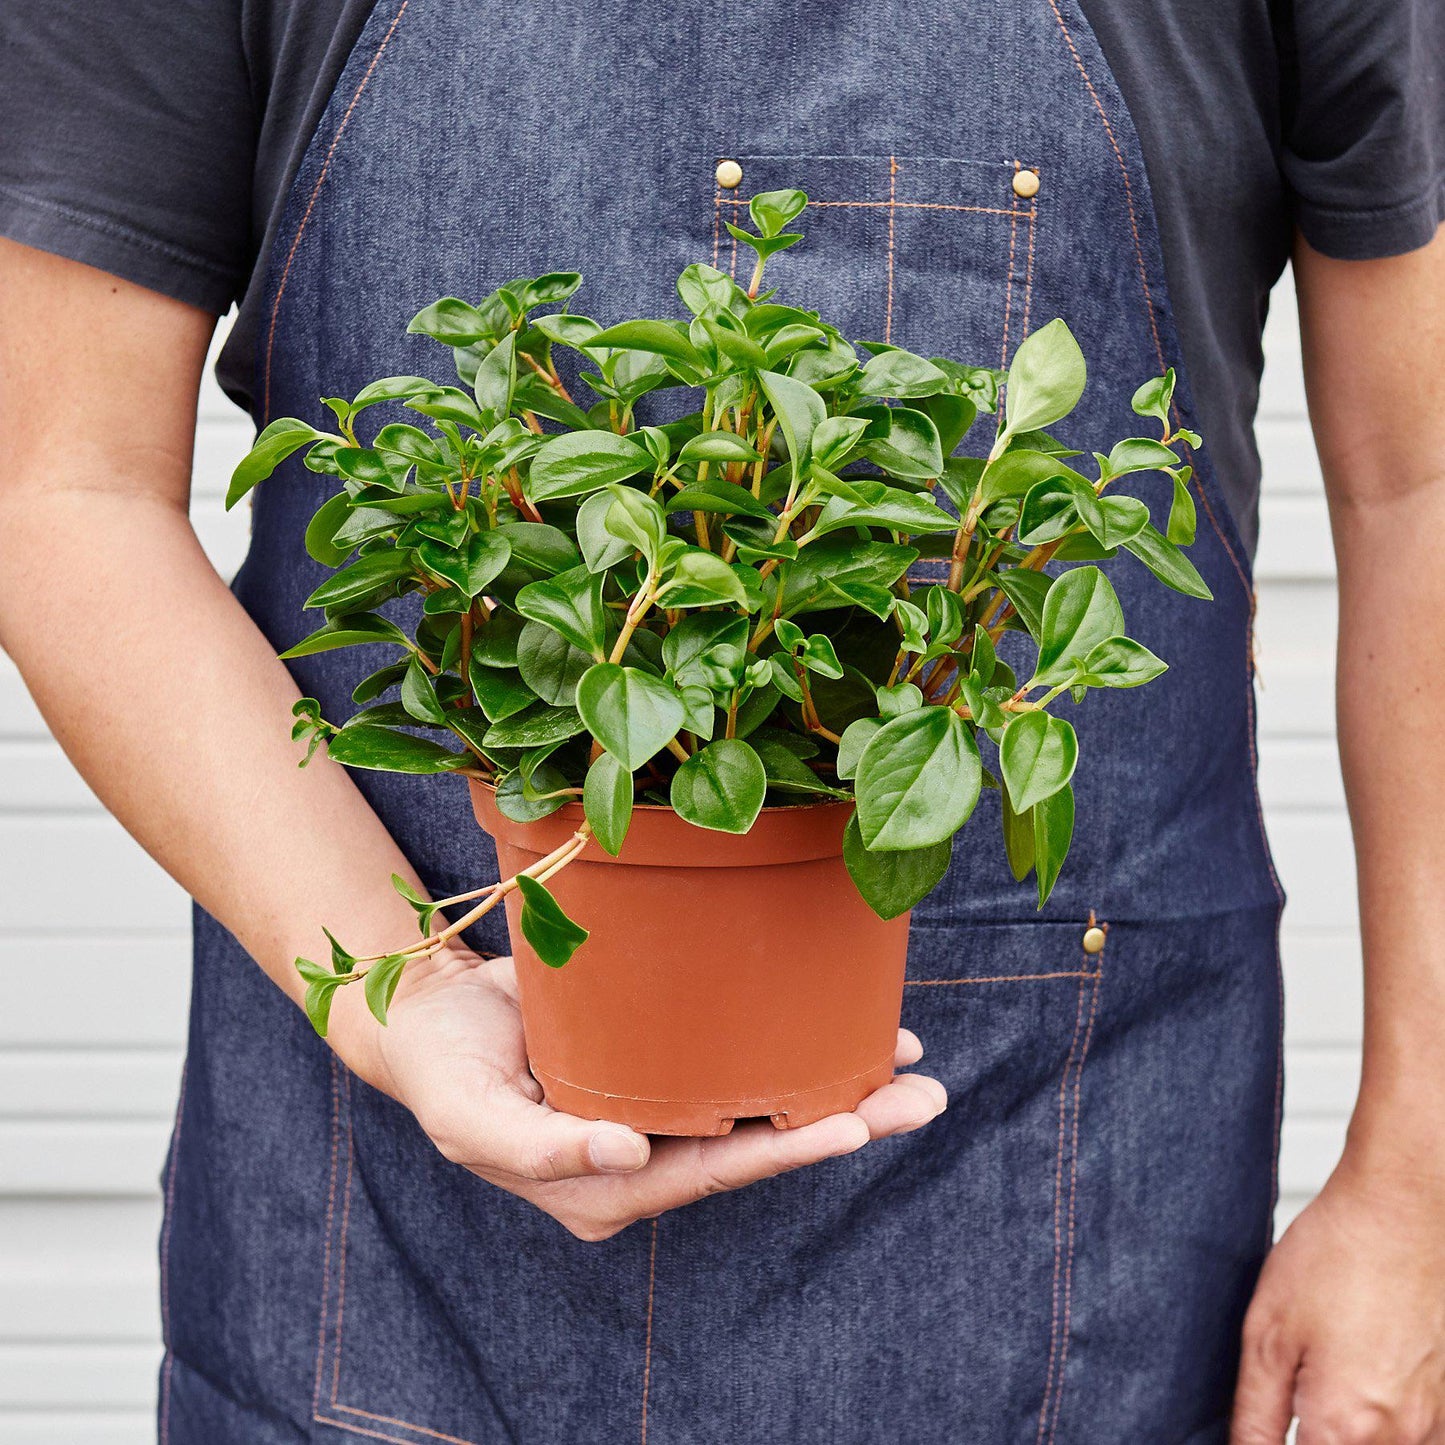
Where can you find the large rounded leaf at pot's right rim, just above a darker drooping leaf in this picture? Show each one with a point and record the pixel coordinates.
(918, 781)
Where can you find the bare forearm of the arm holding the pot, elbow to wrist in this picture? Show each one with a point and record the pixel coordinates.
(174, 709)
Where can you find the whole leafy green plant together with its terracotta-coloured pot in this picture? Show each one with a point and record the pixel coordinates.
(722, 741)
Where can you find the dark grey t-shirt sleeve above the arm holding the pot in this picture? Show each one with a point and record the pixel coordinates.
(128, 141)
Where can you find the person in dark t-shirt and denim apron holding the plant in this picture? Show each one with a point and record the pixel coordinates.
(1067, 1258)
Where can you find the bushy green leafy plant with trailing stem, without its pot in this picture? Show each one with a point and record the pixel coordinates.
(716, 612)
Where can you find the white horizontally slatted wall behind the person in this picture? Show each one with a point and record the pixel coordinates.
(90, 1061)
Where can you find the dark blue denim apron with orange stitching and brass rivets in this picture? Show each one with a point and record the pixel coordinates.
(1066, 1255)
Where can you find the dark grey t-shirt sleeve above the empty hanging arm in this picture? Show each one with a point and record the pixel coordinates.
(1365, 125)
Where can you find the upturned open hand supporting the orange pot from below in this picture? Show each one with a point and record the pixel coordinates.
(453, 1054)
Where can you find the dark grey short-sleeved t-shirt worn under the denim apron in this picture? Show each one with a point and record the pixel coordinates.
(157, 141)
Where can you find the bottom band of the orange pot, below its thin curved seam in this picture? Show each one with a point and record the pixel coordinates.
(706, 1119)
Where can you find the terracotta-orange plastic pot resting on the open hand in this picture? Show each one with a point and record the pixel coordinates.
(726, 976)
